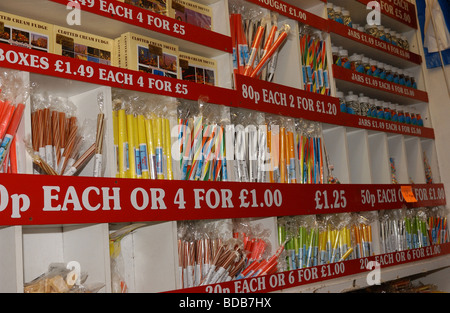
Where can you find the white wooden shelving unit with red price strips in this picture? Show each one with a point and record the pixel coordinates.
(47, 231)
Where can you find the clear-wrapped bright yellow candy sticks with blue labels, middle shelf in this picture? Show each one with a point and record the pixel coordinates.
(143, 135)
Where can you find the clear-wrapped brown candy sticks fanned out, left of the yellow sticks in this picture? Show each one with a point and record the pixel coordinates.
(61, 145)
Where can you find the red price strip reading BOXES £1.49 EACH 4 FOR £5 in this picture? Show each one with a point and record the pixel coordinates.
(64, 67)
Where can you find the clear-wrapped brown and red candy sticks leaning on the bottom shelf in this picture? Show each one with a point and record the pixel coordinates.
(223, 250)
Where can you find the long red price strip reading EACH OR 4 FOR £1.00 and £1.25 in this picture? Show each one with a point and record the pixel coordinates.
(68, 200)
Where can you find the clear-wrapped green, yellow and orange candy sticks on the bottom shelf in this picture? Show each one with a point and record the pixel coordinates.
(312, 240)
